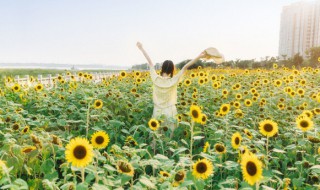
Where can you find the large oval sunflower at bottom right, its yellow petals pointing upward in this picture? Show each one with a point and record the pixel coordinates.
(251, 168)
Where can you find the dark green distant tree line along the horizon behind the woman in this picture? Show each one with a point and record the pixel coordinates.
(297, 61)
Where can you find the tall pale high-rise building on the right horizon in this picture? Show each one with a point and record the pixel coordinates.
(299, 28)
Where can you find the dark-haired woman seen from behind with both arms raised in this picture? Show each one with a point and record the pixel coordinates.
(165, 85)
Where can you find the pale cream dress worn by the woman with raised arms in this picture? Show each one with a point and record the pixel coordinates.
(164, 94)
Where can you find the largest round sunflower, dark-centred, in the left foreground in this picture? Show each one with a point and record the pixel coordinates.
(79, 152)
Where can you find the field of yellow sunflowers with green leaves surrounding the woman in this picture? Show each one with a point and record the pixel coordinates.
(236, 129)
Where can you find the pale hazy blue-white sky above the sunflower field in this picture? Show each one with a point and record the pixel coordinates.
(105, 32)
